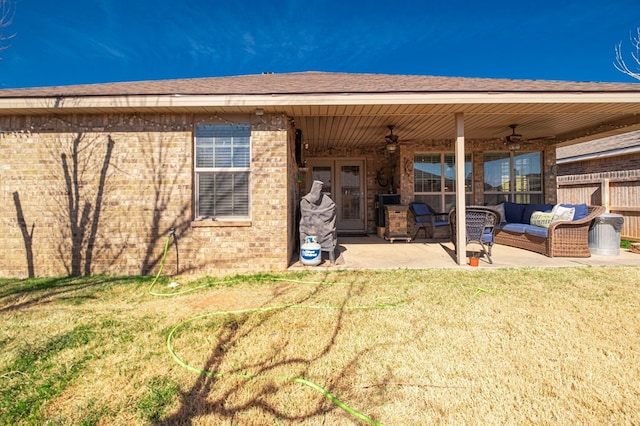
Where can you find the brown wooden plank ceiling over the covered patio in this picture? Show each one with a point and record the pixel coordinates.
(354, 127)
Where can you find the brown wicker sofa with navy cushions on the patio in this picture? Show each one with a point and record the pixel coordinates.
(560, 239)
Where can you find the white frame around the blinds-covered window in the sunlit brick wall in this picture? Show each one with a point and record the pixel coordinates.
(238, 130)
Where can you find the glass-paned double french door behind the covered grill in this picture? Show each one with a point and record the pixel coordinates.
(344, 182)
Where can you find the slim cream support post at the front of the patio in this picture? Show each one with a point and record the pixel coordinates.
(461, 226)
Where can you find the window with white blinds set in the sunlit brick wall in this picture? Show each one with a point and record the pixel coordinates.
(222, 168)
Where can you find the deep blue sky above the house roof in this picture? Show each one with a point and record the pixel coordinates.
(96, 41)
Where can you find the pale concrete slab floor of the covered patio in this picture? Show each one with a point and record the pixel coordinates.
(372, 252)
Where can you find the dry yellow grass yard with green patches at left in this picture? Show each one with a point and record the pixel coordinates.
(407, 347)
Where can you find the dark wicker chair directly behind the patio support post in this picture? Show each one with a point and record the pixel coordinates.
(480, 226)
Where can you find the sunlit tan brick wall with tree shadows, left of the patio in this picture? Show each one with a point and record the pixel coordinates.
(99, 193)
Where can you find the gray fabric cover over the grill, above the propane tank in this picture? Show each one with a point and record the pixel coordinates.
(318, 217)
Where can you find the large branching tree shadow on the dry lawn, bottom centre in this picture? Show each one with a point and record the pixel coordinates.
(197, 402)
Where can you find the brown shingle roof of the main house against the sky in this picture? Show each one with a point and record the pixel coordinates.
(316, 83)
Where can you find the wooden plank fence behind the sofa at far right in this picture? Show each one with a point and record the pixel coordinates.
(617, 195)
